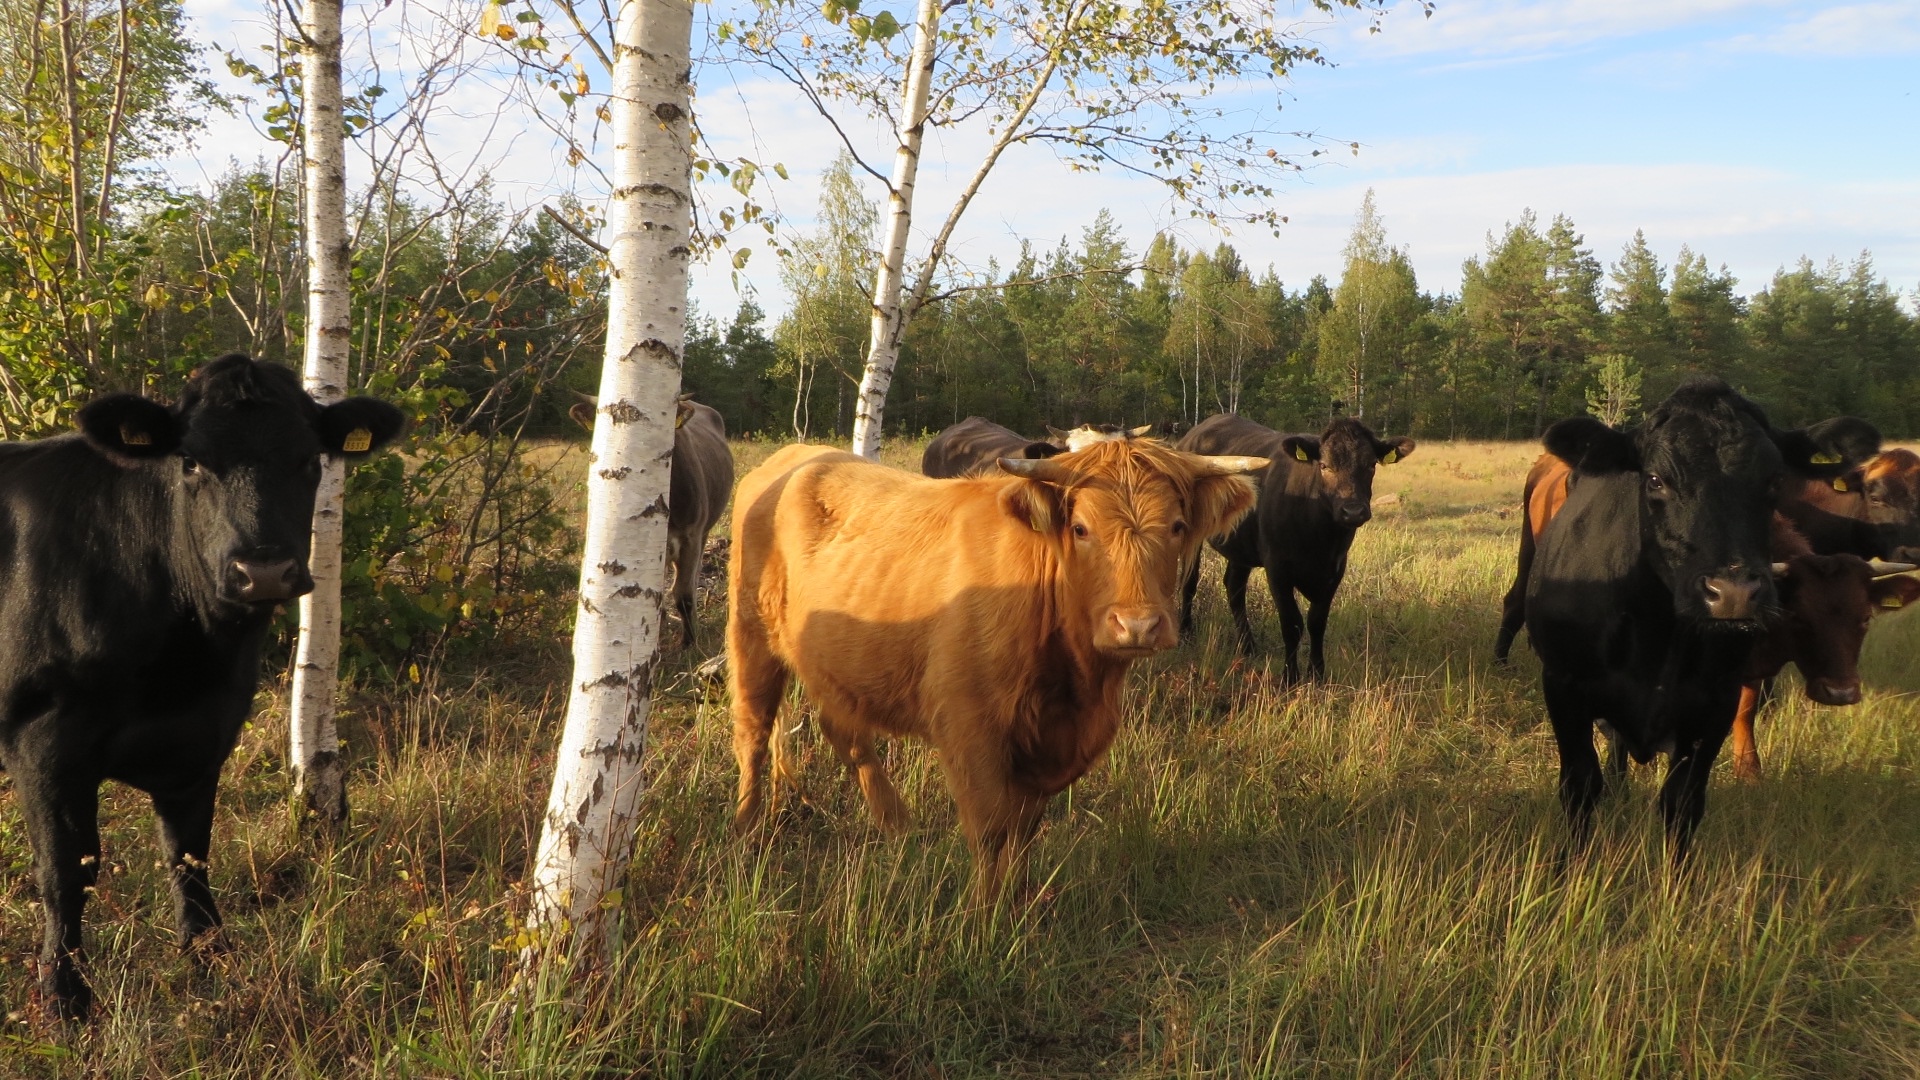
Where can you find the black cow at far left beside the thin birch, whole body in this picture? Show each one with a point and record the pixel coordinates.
(139, 570)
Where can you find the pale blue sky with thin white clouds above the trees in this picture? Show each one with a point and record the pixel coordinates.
(1756, 132)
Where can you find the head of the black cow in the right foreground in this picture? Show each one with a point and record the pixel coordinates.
(1710, 470)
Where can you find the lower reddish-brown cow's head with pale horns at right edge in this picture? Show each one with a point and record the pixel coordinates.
(1827, 604)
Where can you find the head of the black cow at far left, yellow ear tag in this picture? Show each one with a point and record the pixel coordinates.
(241, 458)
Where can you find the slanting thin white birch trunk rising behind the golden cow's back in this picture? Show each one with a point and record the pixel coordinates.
(884, 333)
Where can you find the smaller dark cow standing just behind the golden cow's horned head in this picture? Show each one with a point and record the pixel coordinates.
(1312, 501)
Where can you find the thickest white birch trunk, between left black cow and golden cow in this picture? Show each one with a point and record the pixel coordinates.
(588, 833)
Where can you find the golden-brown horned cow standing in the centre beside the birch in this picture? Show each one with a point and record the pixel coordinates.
(994, 618)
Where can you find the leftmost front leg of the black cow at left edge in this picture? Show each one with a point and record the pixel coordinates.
(64, 823)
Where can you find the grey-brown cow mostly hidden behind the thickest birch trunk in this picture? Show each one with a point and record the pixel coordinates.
(700, 489)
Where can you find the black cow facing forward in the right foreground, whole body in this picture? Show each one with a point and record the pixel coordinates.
(1650, 587)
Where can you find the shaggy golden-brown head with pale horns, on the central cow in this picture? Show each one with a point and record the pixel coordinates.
(1126, 518)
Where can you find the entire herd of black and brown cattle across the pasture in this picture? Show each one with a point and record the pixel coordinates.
(990, 608)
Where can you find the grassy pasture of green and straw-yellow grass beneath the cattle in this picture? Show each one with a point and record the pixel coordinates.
(1360, 879)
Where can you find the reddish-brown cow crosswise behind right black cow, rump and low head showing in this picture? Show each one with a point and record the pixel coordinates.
(1825, 608)
